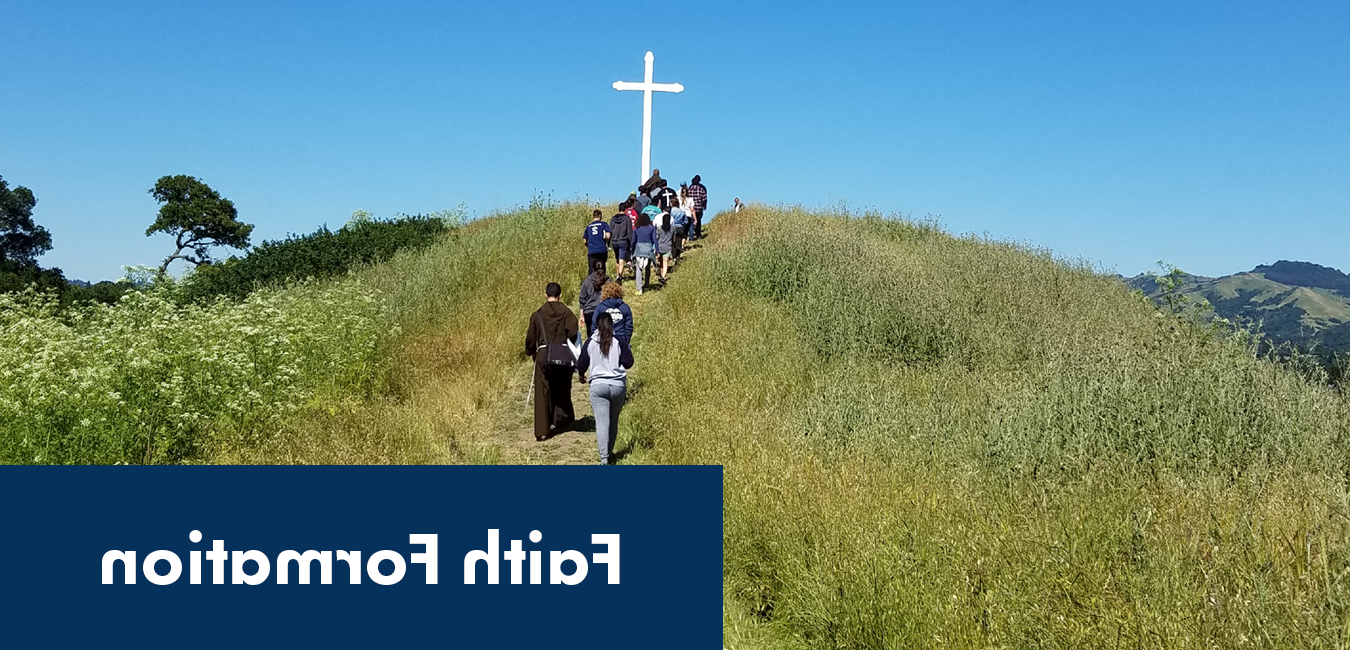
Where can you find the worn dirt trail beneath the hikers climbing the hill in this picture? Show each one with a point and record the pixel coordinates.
(576, 447)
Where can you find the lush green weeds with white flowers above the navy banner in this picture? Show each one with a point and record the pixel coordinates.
(148, 380)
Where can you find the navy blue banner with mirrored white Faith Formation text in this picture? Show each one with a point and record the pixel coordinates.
(267, 557)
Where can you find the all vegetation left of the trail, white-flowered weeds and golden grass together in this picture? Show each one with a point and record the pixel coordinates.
(399, 363)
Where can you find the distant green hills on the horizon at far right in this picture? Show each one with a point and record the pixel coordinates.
(1299, 303)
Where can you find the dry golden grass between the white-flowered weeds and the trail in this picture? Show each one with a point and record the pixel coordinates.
(462, 307)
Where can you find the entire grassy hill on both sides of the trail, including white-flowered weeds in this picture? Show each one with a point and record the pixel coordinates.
(928, 441)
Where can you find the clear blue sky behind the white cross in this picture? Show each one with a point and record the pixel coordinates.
(1214, 136)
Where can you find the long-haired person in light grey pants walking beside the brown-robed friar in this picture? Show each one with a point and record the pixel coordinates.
(608, 357)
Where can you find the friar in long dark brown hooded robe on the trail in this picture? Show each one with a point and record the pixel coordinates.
(553, 324)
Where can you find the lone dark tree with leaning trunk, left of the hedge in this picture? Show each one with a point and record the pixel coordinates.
(198, 218)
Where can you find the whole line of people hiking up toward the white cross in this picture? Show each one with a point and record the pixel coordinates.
(651, 229)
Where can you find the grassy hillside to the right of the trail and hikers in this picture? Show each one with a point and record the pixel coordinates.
(936, 441)
